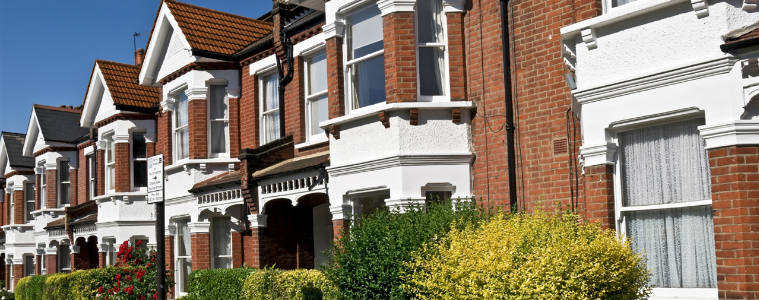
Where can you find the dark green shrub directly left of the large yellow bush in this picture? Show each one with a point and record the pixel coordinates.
(367, 263)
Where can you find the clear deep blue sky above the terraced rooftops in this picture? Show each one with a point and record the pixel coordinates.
(47, 47)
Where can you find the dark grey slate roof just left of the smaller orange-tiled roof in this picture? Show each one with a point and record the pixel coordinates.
(60, 124)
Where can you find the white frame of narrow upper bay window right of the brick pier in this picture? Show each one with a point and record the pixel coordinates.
(446, 96)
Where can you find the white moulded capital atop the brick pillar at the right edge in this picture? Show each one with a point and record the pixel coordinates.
(734, 133)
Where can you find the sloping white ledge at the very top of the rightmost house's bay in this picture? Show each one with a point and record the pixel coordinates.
(618, 14)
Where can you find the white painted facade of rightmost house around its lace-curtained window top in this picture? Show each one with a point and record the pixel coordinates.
(653, 61)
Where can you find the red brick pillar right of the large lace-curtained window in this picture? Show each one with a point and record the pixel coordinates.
(735, 200)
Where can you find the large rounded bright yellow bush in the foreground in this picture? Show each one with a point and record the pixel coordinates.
(528, 257)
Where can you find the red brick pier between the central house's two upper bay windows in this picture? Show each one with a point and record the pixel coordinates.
(400, 57)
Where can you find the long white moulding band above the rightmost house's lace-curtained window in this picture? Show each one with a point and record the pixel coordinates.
(656, 80)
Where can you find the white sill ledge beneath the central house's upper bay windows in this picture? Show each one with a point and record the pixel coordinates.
(371, 111)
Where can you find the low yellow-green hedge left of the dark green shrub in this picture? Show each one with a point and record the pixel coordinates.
(295, 284)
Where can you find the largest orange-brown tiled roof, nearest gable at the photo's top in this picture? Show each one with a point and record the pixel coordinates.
(214, 31)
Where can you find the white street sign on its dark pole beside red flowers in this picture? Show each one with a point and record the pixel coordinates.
(156, 195)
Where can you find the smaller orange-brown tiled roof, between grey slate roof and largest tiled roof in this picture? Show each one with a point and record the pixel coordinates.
(121, 80)
